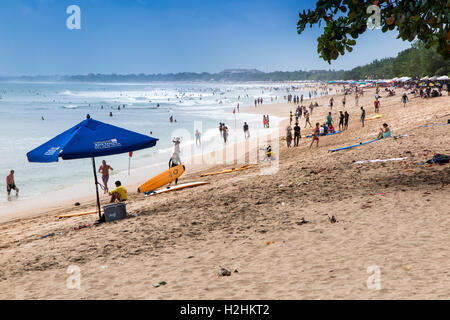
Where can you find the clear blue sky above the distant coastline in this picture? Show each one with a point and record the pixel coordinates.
(169, 36)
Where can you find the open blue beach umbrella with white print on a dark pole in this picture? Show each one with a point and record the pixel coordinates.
(90, 139)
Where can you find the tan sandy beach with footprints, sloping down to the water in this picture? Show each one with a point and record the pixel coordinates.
(309, 231)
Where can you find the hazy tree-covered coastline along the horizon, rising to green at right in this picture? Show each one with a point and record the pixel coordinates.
(416, 61)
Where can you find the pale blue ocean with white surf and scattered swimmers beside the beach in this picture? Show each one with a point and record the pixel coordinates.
(32, 113)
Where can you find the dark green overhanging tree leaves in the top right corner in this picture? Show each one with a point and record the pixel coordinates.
(346, 20)
